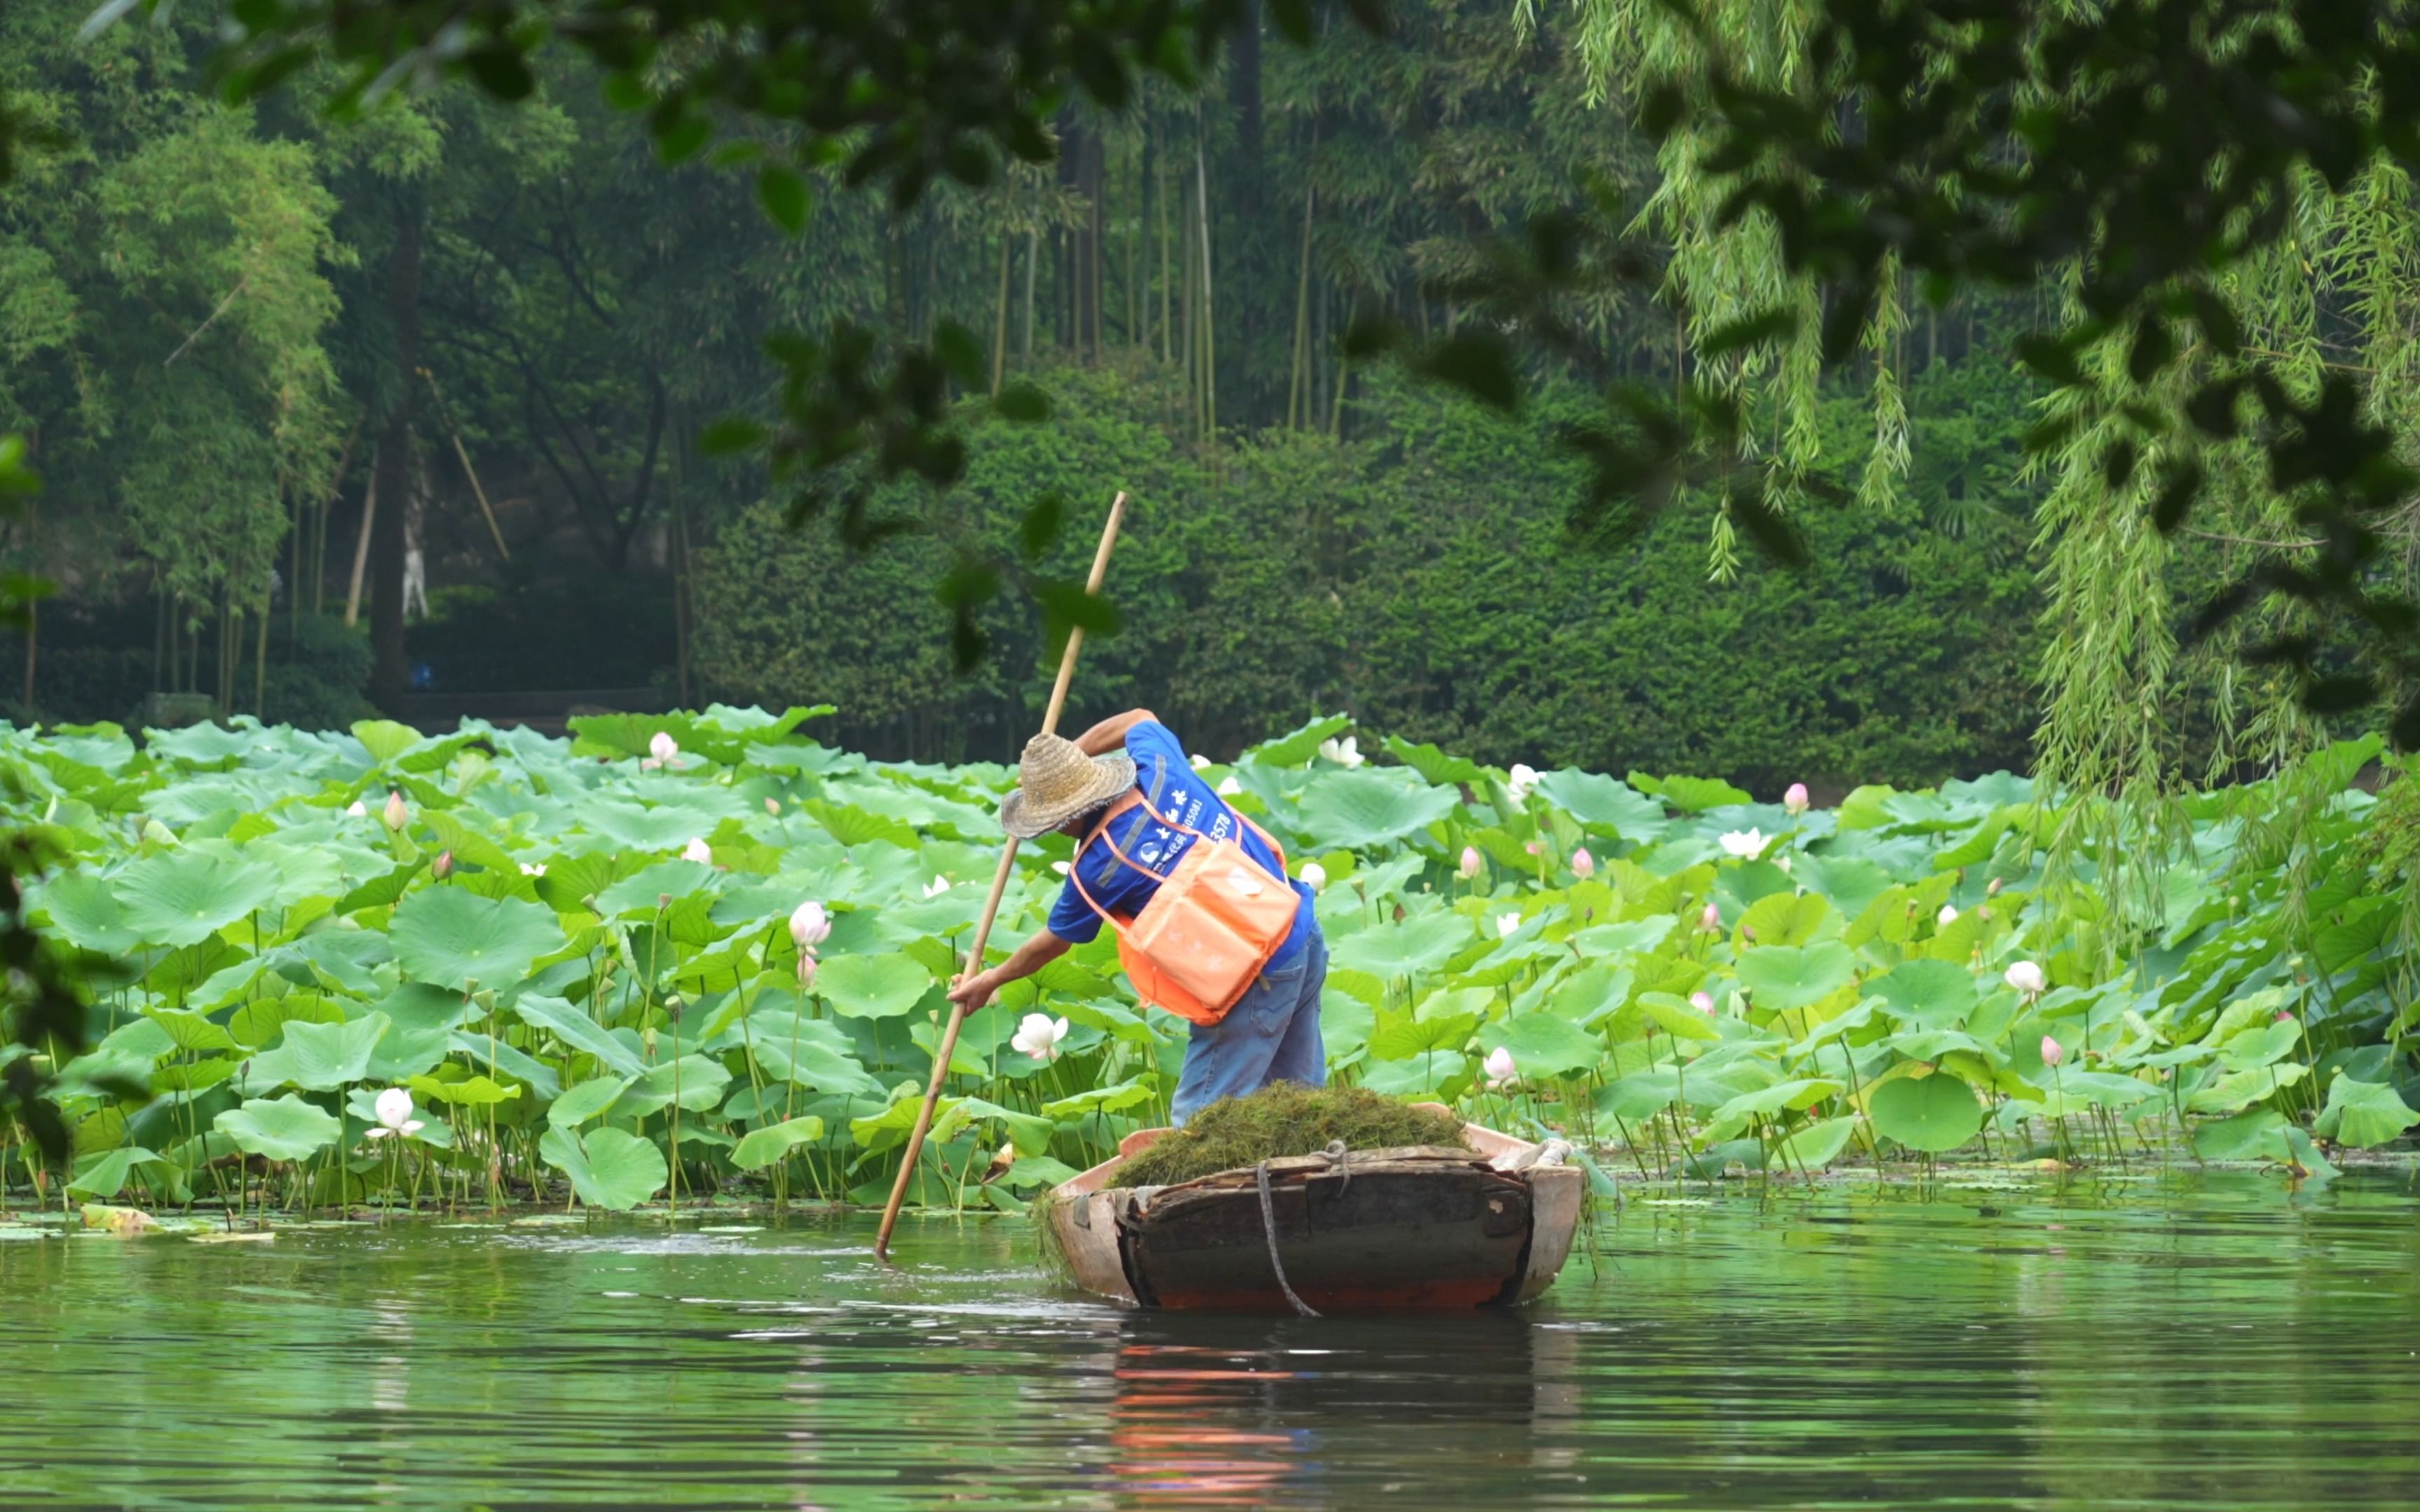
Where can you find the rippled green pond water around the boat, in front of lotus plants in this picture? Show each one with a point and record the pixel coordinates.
(2196, 1341)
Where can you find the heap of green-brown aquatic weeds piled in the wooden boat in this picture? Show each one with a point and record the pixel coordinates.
(1279, 1121)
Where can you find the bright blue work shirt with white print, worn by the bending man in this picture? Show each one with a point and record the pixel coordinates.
(1177, 790)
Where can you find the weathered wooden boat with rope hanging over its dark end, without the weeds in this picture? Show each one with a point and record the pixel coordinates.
(1383, 1230)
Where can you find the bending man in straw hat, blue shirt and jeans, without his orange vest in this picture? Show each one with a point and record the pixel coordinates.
(1068, 785)
